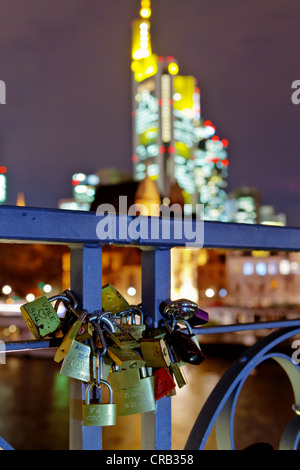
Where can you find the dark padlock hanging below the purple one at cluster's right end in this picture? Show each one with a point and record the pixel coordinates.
(186, 346)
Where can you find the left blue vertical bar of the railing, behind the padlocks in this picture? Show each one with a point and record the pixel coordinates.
(86, 283)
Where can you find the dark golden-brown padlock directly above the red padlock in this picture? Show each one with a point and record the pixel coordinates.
(155, 352)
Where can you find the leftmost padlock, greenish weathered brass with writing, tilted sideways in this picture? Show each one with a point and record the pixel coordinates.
(40, 317)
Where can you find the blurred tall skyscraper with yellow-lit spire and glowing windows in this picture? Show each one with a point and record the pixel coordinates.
(171, 143)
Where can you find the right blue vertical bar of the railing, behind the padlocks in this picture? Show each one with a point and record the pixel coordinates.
(156, 285)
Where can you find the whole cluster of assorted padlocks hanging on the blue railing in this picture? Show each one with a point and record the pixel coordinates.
(110, 348)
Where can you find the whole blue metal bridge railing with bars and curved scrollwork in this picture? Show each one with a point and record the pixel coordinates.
(78, 230)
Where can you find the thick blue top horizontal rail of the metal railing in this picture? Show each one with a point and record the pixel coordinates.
(28, 224)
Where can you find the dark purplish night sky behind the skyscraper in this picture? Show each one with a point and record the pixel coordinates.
(66, 65)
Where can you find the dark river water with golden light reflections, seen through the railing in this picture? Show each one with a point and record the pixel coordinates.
(34, 406)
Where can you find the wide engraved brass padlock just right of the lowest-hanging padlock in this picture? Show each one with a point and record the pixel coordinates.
(139, 399)
